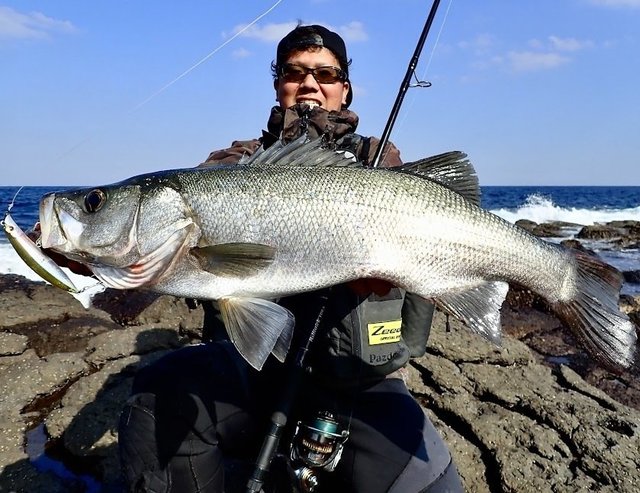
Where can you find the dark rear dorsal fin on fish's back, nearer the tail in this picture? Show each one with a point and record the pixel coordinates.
(450, 169)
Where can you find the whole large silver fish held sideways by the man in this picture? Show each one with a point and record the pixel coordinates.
(301, 217)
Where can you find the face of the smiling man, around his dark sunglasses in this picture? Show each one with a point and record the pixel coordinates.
(329, 96)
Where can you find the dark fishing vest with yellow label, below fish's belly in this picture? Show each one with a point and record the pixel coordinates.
(360, 339)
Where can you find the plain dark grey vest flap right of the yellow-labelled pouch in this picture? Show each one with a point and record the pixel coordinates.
(417, 314)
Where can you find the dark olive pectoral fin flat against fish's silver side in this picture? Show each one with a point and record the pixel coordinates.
(234, 259)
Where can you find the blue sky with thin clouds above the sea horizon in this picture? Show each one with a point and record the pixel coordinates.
(536, 93)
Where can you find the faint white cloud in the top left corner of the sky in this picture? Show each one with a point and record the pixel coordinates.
(34, 25)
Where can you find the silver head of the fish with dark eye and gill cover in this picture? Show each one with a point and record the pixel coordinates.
(126, 233)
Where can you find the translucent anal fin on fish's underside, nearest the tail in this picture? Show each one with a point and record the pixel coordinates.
(479, 308)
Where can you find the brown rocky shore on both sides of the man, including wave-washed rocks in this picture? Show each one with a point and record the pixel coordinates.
(536, 414)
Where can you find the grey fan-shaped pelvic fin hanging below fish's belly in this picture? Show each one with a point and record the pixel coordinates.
(257, 328)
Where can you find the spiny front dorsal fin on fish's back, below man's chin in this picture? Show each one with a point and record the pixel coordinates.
(301, 152)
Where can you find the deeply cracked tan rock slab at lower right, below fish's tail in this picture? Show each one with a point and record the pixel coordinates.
(533, 428)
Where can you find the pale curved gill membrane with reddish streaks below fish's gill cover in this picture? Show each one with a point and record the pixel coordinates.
(149, 268)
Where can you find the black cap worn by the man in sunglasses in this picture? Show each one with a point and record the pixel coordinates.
(315, 35)
